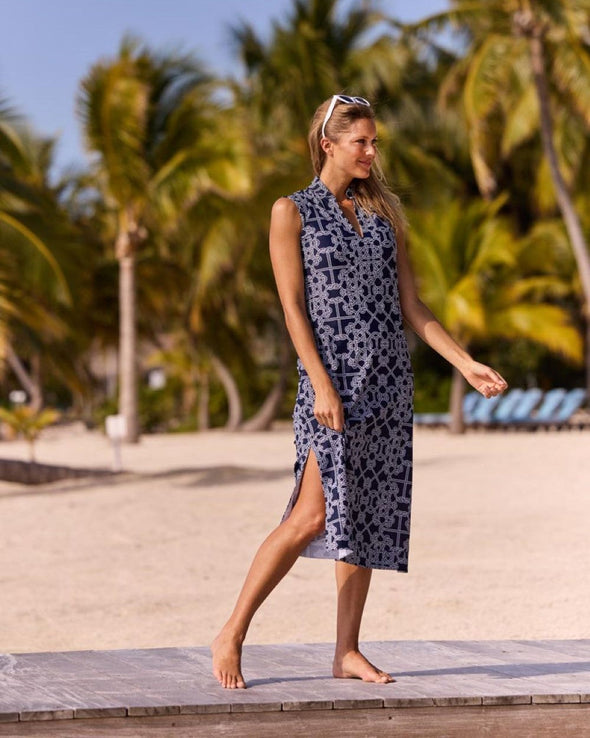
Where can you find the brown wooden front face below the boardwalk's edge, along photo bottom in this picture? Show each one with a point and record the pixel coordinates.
(517, 721)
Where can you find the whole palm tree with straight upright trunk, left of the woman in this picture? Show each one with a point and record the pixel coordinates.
(149, 119)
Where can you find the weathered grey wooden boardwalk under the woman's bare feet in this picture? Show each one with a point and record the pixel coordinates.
(442, 688)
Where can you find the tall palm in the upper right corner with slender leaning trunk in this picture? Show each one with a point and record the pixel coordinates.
(529, 57)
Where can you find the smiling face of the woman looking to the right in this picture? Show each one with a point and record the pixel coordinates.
(355, 150)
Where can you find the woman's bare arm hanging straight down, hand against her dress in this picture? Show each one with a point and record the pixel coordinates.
(285, 254)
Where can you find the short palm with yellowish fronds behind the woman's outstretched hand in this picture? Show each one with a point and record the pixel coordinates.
(483, 284)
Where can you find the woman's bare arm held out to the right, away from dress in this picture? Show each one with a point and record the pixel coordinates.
(483, 378)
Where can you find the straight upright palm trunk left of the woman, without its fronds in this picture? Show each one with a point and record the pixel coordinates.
(128, 405)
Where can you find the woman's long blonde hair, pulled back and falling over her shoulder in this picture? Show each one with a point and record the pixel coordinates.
(372, 194)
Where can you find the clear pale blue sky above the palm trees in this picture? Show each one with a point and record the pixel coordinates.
(47, 46)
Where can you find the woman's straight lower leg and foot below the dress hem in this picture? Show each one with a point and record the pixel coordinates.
(353, 585)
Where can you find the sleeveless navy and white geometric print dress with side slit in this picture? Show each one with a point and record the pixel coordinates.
(352, 299)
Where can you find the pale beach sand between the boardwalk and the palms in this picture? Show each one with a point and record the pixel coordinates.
(499, 550)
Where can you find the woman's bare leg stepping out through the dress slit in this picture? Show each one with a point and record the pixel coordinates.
(274, 558)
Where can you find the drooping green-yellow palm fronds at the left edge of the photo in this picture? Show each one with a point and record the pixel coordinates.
(37, 253)
